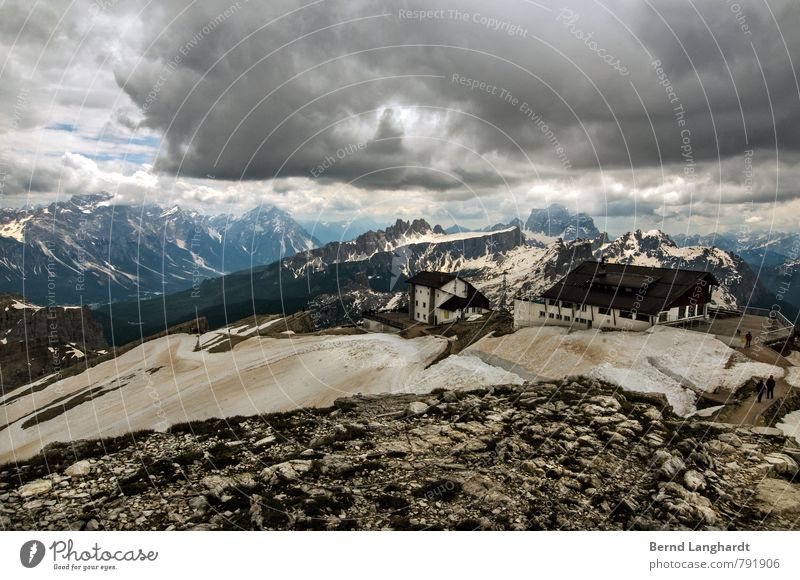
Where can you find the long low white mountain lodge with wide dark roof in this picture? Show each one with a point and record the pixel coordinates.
(603, 295)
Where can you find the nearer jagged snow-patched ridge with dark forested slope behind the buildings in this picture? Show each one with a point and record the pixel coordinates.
(341, 279)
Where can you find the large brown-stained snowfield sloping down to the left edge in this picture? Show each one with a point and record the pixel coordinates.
(165, 381)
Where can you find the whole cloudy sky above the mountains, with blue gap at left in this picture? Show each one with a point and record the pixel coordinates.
(682, 115)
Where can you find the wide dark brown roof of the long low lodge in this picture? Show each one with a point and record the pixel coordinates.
(645, 289)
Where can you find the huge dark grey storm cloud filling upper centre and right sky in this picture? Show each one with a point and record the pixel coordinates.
(239, 98)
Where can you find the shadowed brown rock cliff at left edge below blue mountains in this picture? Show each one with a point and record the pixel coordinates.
(36, 341)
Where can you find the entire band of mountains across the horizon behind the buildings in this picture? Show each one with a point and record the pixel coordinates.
(146, 267)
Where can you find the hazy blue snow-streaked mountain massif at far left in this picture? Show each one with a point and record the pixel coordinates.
(89, 249)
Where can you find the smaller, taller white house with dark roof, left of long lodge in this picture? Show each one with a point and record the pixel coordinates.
(439, 297)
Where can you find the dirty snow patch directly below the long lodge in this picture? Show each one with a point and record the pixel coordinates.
(678, 363)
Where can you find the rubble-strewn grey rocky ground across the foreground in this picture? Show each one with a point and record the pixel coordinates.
(577, 455)
